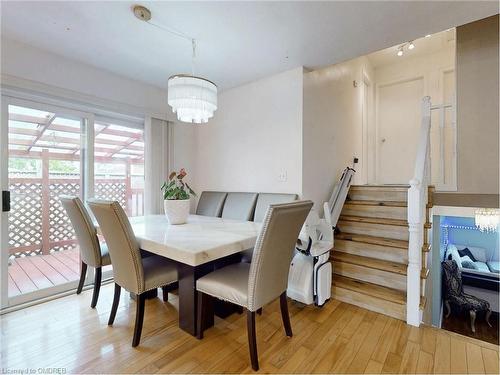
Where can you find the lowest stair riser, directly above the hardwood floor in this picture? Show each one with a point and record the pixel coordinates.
(365, 301)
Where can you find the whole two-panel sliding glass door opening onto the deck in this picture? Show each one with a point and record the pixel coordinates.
(48, 151)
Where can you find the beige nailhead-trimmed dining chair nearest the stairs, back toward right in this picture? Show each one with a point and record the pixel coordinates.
(252, 285)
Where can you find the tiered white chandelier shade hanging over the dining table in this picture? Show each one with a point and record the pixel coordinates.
(193, 99)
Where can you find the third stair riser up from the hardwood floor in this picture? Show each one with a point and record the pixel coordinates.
(372, 251)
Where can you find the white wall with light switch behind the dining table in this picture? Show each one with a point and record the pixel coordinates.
(255, 135)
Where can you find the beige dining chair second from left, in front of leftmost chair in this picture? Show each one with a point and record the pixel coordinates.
(131, 272)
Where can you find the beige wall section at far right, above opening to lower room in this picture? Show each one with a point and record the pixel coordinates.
(477, 103)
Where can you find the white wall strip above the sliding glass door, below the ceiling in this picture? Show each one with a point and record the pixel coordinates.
(24, 65)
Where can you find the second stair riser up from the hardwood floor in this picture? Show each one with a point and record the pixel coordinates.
(371, 275)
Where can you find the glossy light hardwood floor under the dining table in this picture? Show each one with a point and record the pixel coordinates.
(338, 338)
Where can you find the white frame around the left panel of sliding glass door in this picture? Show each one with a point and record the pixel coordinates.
(86, 163)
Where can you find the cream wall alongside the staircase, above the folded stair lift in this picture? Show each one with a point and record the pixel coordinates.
(332, 126)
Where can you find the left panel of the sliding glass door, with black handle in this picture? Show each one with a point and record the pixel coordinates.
(46, 149)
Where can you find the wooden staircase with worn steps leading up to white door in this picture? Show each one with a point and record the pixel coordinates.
(370, 256)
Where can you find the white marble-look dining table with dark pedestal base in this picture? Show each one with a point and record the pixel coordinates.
(197, 247)
